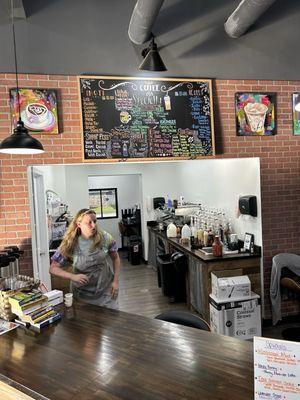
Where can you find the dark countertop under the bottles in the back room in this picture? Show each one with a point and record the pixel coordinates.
(199, 254)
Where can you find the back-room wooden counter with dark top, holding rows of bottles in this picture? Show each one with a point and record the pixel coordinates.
(201, 265)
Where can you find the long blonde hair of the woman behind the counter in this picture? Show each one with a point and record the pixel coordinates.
(73, 232)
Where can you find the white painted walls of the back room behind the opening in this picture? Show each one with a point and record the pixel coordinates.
(216, 182)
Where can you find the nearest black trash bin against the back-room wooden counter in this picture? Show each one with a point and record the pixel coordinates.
(172, 271)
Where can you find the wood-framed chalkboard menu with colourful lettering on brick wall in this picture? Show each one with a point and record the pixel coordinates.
(134, 118)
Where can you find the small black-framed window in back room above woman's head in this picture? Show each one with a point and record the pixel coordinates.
(104, 202)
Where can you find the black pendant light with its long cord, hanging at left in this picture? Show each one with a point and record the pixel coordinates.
(20, 142)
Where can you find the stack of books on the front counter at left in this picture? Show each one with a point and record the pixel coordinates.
(33, 309)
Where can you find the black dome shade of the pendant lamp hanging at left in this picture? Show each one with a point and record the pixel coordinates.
(20, 142)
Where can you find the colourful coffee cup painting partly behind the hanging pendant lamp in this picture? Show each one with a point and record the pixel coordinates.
(38, 109)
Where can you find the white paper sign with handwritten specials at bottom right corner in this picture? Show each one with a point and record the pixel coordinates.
(276, 369)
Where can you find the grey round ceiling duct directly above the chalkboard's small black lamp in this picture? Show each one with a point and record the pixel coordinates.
(142, 20)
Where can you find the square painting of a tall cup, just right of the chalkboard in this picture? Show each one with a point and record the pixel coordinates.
(255, 114)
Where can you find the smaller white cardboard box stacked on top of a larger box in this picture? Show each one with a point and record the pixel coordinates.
(230, 284)
